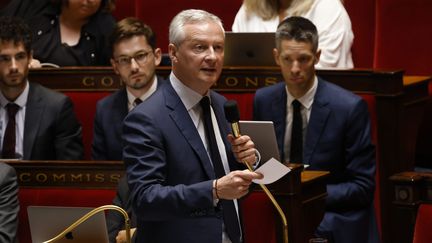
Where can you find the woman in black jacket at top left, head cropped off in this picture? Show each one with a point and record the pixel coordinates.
(73, 33)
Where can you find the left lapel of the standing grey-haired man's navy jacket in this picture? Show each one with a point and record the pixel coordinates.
(181, 118)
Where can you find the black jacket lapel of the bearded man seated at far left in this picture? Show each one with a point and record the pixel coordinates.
(34, 113)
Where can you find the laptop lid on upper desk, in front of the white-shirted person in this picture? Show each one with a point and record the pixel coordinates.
(249, 49)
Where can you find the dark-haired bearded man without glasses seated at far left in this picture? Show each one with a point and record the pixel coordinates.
(36, 123)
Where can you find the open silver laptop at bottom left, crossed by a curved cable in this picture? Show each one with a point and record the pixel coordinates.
(47, 222)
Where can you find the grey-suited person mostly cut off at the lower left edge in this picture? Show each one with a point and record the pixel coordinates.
(9, 205)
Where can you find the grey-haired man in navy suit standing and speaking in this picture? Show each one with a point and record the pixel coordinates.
(184, 177)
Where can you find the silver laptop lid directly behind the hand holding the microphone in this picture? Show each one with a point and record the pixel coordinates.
(263, 135)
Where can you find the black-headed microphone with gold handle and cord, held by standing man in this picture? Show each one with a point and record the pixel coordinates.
(233, 117)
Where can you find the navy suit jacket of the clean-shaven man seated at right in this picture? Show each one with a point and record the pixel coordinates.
(338, 139)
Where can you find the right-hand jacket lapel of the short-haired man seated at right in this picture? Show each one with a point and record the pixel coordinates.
(317, 122)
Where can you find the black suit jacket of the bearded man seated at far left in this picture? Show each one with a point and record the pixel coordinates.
(51, 129)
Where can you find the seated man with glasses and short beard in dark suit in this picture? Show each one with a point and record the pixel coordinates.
(134, 58)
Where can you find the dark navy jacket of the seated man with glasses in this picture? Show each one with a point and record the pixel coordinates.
(108, 122)
